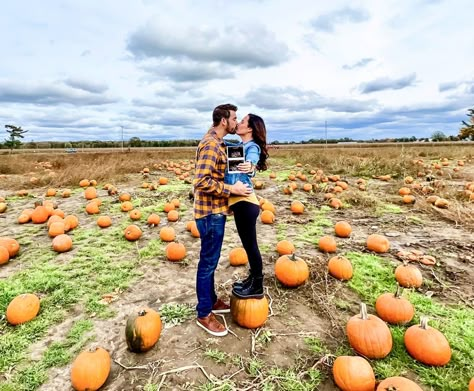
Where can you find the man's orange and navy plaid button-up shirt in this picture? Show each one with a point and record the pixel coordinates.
(211, 195)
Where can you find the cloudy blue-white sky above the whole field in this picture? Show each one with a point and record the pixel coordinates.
(80, 70)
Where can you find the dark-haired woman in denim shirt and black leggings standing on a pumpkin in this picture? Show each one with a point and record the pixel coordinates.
(253, 133)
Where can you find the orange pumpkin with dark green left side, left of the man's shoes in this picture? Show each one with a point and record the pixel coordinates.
(143, 330)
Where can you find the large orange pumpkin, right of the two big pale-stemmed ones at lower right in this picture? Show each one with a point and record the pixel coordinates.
(427, 344)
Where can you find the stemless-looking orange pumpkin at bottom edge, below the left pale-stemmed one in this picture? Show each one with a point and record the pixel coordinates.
(353, 373)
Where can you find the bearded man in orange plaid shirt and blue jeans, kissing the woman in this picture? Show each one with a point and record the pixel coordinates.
(210, 210)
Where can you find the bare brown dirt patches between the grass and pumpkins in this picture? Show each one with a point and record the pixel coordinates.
(177, 361)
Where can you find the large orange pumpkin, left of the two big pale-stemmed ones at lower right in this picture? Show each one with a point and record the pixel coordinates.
(369, 335)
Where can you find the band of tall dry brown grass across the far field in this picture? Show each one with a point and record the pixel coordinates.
(69, 169)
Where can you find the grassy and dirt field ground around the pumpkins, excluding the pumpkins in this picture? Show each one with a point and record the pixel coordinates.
(88, 292)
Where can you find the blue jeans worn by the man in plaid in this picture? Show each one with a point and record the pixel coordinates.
(211, 228)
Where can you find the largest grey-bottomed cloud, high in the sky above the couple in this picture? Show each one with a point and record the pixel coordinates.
(249, 45)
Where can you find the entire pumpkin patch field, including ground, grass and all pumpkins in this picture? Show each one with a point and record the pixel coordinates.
(368, 256)
